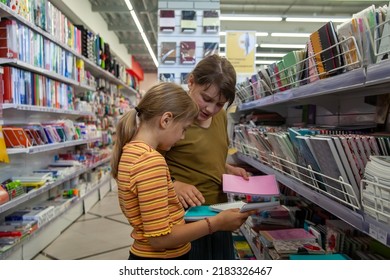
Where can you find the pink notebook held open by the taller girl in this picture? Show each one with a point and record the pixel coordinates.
(264, 185)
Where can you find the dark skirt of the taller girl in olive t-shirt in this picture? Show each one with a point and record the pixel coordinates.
(217, 246)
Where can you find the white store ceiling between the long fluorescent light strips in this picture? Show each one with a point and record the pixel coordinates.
(118, 19)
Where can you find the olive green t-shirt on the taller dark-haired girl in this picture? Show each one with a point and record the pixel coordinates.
(200, 158)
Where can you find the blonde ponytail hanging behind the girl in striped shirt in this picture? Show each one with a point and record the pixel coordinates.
(125, 131)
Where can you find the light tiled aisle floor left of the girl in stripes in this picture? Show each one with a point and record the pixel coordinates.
(101, 234)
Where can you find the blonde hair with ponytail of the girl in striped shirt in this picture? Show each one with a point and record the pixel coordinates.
(161, 98)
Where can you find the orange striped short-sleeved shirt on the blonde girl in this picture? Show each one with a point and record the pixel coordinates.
(148, 200)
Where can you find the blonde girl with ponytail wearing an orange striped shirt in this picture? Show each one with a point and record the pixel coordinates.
(146, 194)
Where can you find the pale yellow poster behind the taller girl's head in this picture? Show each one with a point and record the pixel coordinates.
(241, 49)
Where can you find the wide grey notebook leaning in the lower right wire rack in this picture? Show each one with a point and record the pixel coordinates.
(331, 165)
